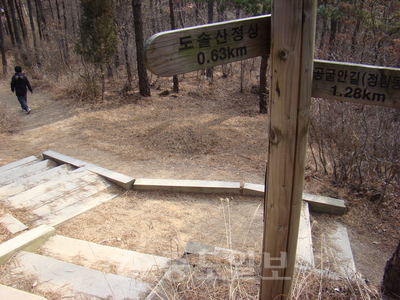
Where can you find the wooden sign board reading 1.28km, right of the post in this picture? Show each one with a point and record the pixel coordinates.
(356, 83)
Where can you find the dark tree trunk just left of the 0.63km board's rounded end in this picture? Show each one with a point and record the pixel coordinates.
(144, 87)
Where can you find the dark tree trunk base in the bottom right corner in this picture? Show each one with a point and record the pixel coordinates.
(391, 279)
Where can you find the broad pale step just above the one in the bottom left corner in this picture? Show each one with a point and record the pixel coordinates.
(74, 281)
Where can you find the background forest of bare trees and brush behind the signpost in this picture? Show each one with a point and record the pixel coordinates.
(84, 46)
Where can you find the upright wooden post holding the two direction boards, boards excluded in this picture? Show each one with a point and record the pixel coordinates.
(292, 49)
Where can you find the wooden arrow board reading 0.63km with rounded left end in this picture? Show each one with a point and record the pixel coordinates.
(184, 50)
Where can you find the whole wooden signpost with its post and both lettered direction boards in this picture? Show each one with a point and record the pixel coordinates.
(288, 36)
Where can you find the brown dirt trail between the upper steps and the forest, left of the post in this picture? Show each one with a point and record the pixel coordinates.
(137, 139)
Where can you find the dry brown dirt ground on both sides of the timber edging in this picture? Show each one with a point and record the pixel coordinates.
(206, 132)
